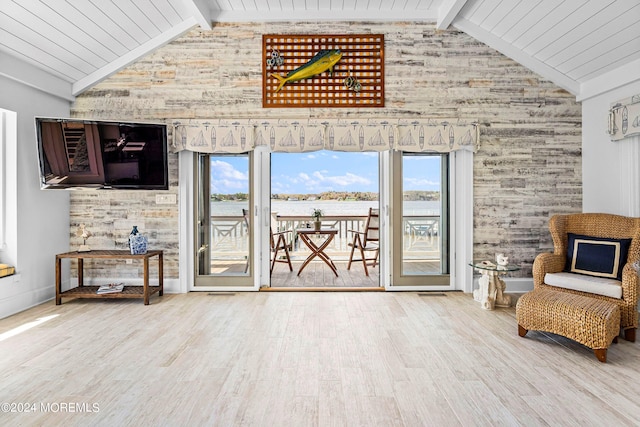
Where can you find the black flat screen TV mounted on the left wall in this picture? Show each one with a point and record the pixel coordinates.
(77, 153)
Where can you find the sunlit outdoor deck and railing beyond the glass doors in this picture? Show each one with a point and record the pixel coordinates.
(421, 251)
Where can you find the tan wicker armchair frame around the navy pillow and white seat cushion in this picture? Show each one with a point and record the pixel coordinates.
(598, 225)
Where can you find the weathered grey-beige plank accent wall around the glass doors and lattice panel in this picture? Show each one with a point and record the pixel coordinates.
(528, 167)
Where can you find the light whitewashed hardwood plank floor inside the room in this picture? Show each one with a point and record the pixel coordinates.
(306, 359)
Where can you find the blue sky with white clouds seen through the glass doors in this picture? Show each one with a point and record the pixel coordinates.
(320, 171)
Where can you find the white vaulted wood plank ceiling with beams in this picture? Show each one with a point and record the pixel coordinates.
(584, 46)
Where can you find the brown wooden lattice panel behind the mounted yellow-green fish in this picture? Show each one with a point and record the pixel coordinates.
(362, 60)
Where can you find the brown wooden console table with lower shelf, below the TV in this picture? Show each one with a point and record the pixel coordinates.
(82, 291)
